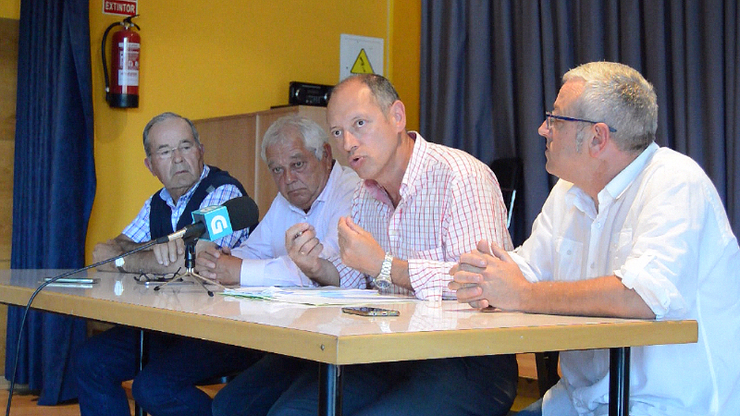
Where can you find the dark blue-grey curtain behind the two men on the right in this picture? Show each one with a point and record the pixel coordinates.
(490, 69)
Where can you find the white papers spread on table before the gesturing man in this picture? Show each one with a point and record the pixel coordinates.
(323, 296)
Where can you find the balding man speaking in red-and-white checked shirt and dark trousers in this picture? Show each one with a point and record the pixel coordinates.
(419, 207)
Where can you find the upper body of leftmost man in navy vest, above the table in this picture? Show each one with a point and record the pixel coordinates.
(174, 155)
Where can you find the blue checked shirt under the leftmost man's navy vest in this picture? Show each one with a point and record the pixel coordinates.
(139, 230)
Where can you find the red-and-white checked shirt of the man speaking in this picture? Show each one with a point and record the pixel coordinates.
(449, 201)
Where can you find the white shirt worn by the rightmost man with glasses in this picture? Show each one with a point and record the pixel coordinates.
(660, 227)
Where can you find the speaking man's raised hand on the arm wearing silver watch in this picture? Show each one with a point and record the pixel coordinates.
(358, 248)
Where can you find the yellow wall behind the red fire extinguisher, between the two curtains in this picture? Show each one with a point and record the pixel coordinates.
(205, 59)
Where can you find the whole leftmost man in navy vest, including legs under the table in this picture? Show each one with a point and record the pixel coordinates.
(167, 384)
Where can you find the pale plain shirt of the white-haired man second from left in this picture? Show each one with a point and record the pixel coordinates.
(265, 260)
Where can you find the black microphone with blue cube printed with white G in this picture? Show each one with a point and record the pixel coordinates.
(218, 221)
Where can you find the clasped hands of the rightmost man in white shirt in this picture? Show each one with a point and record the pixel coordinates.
(488, 277)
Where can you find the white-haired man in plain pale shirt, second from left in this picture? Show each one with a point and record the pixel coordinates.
(295, 244)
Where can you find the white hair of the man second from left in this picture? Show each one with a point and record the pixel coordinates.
(314, 137)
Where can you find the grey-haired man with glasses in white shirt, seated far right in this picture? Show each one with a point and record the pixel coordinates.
(630, 230)
